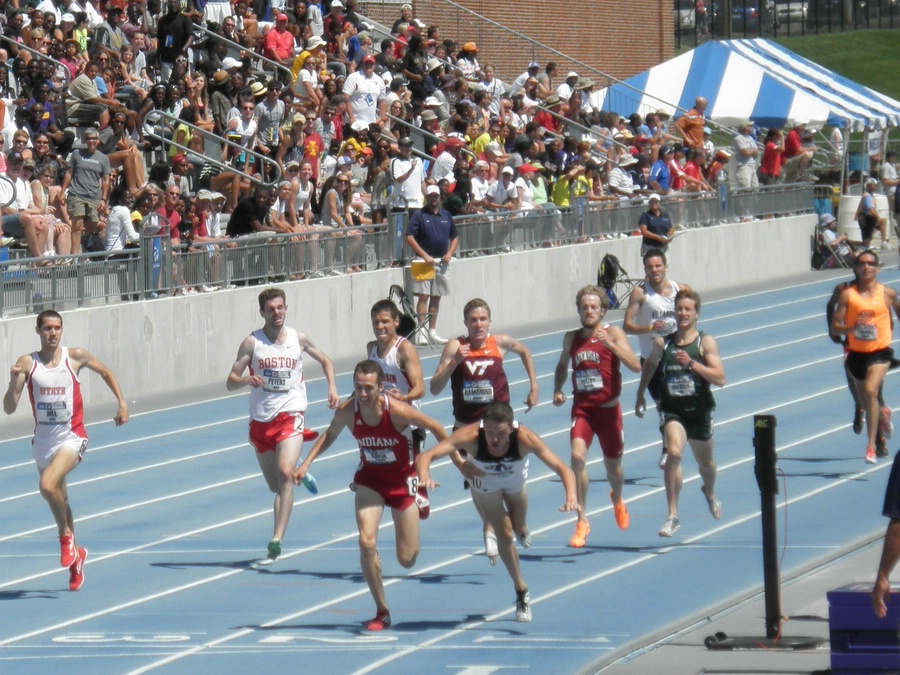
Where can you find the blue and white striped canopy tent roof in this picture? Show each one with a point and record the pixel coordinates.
(752, 79)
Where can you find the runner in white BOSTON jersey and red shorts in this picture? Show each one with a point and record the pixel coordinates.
(273, 358)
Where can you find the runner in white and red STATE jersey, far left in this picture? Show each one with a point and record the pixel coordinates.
(60, 441)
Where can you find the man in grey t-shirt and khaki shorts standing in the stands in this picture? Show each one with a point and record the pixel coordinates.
(88, 188)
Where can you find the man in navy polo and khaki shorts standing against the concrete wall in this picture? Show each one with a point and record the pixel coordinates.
(432, 235)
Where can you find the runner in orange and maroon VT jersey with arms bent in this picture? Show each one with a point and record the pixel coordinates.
(473, 364)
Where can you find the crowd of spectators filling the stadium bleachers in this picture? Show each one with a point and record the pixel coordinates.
(318, 133)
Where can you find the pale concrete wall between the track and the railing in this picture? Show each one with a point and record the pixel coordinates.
(157, 346)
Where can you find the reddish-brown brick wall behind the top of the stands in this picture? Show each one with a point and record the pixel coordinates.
(618, 37)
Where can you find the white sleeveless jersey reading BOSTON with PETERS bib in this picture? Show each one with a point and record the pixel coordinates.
(281, 368)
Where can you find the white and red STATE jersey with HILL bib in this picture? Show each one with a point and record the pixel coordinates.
(55, 395)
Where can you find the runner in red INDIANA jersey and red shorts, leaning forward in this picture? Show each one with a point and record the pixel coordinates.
(386, 475)
